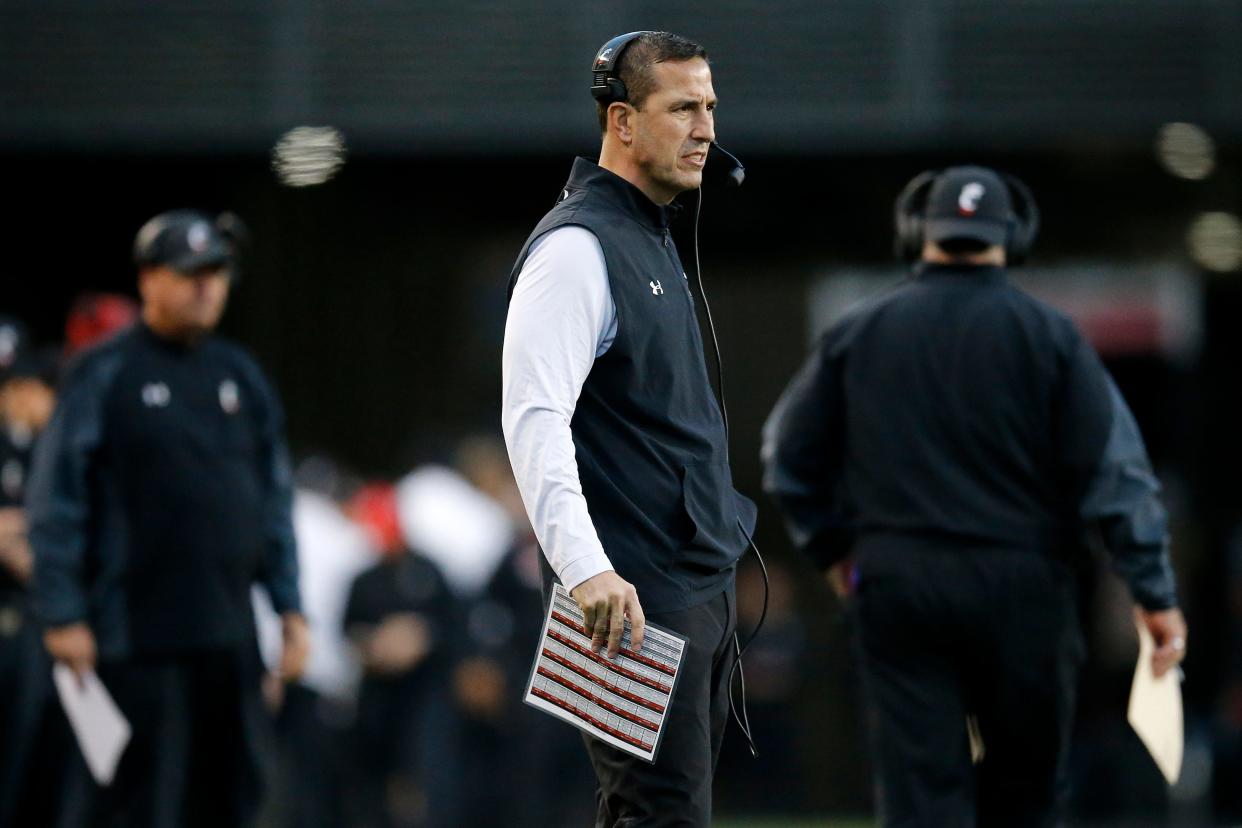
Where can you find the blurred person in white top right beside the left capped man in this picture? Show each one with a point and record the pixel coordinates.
(316, 713)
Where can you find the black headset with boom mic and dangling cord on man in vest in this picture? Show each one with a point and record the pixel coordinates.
(608, 88)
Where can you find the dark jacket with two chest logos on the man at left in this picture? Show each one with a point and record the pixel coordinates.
(161, 493)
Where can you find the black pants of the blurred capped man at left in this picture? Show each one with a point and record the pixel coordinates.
(201, 745)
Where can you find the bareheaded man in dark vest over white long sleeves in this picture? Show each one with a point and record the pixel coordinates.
(615, 436)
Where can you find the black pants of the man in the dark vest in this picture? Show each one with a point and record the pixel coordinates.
(678, 789)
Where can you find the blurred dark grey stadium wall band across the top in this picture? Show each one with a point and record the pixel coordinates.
(483, 76)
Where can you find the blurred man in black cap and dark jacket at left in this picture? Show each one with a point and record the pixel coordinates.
(161, 493)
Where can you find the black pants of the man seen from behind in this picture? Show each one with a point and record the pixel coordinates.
(946, 634)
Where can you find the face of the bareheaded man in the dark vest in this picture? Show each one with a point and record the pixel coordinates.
(674, 131)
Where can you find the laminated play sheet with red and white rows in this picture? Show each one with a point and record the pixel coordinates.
(623, 701)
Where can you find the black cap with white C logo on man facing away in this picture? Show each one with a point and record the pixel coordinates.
(969, 203)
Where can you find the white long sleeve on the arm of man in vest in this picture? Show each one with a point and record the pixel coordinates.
(562, 317)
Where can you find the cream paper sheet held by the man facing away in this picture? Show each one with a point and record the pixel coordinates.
(1156, 711)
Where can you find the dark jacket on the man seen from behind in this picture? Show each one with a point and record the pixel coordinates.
(959, 408)
